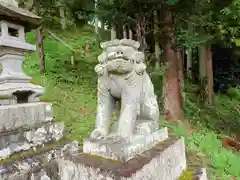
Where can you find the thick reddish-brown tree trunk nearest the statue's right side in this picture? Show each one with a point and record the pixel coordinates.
(172, 105)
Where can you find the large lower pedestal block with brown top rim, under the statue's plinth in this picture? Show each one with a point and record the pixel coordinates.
(165, 161)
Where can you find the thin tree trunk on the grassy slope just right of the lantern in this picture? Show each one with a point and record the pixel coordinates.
(39, 33)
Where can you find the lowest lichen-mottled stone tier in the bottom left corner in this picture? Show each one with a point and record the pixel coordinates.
(37, 166)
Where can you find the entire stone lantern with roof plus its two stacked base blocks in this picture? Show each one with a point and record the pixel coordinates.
(25, 122)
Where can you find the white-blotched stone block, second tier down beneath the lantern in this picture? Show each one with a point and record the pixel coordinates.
(19, 141)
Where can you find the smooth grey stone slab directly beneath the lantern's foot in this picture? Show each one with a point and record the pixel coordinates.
(24, 115)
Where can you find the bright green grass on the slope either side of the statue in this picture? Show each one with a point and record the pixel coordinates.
(72, 91)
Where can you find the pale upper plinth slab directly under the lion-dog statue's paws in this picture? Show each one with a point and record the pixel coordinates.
(124, 149)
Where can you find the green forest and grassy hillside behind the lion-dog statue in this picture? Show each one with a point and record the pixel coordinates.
(204, 30)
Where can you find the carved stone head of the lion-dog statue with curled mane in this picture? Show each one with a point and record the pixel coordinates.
(121, 57)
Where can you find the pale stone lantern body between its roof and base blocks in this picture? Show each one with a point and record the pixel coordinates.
(13, 81)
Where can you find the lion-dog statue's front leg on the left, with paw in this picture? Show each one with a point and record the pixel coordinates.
(105, 109)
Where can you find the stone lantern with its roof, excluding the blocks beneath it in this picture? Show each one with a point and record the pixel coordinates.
(14, 83)
